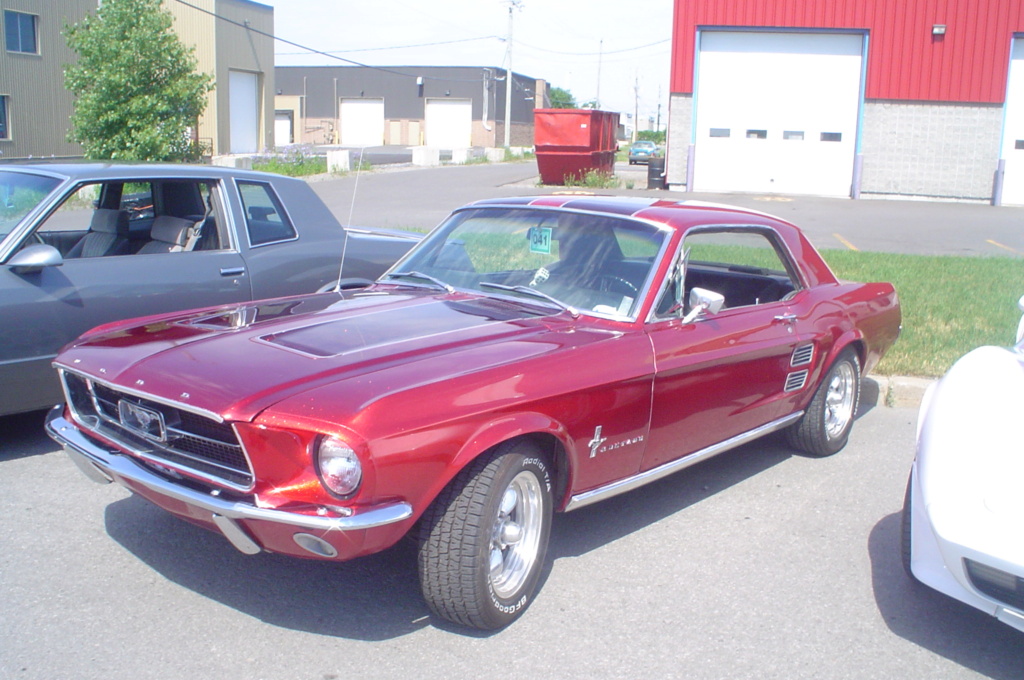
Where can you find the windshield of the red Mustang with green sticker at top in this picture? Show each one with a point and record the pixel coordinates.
(591, 264)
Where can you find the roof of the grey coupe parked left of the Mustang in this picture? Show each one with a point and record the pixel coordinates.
(112, 171)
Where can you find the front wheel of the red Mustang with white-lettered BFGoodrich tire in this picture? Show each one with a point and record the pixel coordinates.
(483, 543)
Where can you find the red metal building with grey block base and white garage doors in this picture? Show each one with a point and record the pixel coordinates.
(908, 98)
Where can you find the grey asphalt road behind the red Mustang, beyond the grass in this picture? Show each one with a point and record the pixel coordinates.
(405, 197)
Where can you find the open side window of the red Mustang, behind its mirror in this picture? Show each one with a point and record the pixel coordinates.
(744, 266)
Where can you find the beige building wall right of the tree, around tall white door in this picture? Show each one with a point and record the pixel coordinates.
(230, 35)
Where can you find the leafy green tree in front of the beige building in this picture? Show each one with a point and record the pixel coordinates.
(137, 90)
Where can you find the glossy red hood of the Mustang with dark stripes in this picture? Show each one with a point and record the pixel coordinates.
(238, 361)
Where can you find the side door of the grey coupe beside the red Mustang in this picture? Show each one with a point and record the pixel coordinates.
(47, 308)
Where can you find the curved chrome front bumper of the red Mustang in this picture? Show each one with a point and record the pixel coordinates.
(105, 466)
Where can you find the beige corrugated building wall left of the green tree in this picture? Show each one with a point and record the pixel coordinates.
(39, 107)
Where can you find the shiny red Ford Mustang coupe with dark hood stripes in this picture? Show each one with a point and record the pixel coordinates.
(530, 356)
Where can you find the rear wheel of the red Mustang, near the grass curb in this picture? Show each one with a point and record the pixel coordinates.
(825, 428)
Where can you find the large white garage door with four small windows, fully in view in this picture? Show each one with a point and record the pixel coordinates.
(778, 112)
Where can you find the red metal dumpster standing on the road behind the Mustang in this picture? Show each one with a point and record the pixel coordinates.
(571, 143)
